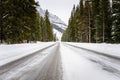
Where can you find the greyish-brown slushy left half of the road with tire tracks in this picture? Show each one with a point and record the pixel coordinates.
(42, 65)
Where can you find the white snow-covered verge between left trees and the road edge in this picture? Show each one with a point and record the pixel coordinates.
(11, 52)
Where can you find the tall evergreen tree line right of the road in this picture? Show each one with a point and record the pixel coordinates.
(94, 21)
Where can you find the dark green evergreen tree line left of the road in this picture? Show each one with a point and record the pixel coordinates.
(20, 21)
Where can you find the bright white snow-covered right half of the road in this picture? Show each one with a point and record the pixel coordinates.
(80, 64)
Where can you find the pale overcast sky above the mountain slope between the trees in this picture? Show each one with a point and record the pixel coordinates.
(61, 8)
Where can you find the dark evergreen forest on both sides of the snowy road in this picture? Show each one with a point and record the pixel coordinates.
(91, 21)
